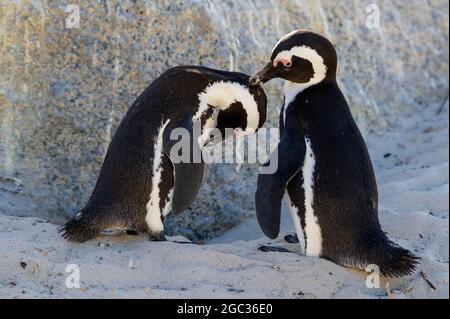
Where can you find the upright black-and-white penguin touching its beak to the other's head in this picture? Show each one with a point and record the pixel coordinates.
(323, 164)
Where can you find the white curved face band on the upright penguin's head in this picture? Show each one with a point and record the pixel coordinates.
(304, 52)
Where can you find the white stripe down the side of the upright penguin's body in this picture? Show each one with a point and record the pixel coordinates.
(312, 227)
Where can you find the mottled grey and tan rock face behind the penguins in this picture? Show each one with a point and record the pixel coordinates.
(64, 90)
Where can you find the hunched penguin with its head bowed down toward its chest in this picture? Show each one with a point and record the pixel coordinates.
(140, 180)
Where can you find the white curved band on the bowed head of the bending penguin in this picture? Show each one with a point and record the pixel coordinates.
(223, 94)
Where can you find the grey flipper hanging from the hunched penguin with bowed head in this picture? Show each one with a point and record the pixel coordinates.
(186, 157)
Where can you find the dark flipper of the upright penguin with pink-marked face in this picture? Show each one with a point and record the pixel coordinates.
(271, 187)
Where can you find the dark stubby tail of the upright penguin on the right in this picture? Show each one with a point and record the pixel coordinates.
(393, 260)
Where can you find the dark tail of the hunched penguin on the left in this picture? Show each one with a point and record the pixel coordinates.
(80, 228)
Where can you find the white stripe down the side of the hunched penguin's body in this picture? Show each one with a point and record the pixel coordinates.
(153, 217)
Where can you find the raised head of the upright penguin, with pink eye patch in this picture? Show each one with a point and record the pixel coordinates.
(301, 57)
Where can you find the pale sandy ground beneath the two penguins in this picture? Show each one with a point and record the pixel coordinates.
(411, 163)
